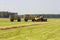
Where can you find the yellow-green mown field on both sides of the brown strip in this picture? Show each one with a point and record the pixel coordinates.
(45, 31)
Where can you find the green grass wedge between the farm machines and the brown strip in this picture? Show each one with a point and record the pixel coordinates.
(7, 22)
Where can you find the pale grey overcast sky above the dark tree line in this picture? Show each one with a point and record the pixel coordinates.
(30, 6)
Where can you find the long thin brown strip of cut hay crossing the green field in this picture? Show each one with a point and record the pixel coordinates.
(23, 25)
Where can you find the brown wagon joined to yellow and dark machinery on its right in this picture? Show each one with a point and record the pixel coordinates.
(34, 18)
